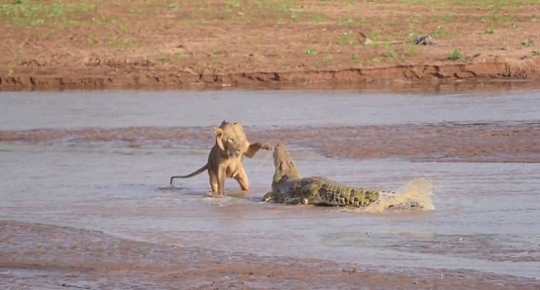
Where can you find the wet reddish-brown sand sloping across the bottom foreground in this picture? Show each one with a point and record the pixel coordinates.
(37, 256)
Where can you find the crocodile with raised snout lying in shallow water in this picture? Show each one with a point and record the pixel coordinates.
(289, 187)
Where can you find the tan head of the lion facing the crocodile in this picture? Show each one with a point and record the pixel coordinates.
(231, 138)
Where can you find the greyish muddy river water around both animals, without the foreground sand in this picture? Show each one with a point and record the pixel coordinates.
(485, 216)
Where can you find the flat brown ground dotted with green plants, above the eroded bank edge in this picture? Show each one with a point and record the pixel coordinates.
(304, 32)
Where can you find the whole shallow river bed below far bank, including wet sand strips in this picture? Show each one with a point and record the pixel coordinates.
(84, 187)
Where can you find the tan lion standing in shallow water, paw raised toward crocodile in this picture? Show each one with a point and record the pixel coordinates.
(225, 158)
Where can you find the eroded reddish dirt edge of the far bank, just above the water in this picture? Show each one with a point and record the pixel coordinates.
(136, 77)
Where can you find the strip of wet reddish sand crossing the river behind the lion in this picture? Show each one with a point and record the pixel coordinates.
(473, 142)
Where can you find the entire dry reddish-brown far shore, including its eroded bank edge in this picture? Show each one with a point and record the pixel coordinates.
(96, 44)
